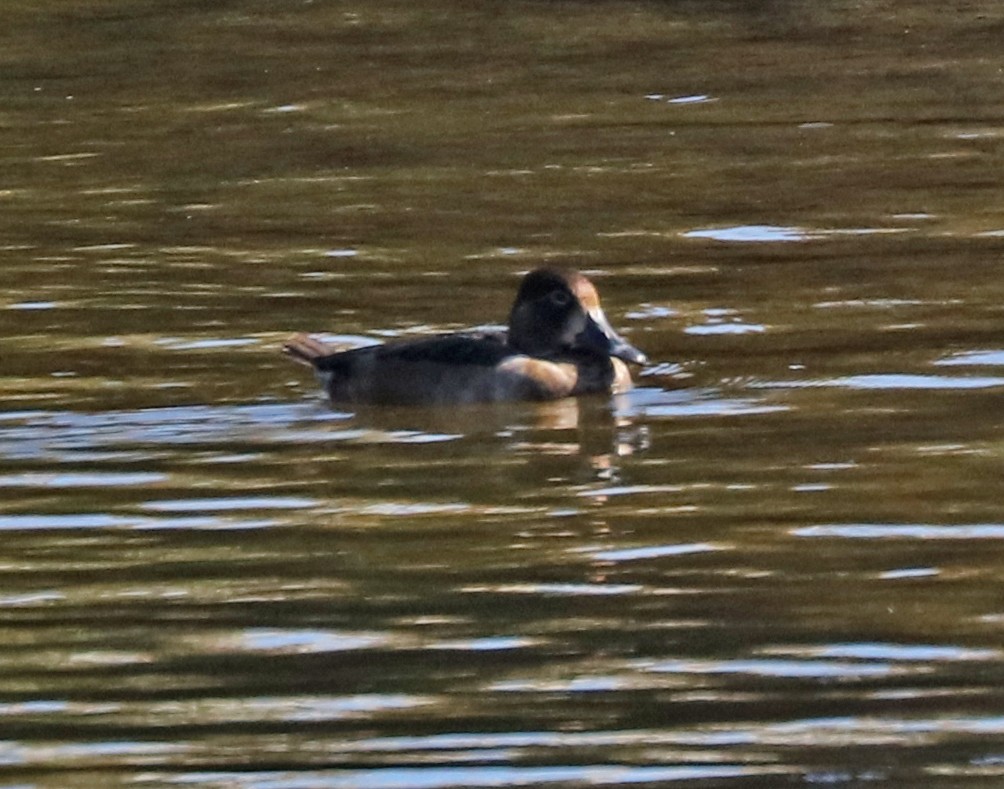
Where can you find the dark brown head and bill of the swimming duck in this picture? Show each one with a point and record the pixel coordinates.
(559, 311)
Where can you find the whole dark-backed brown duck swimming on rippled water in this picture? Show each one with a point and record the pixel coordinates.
(559, 344)
